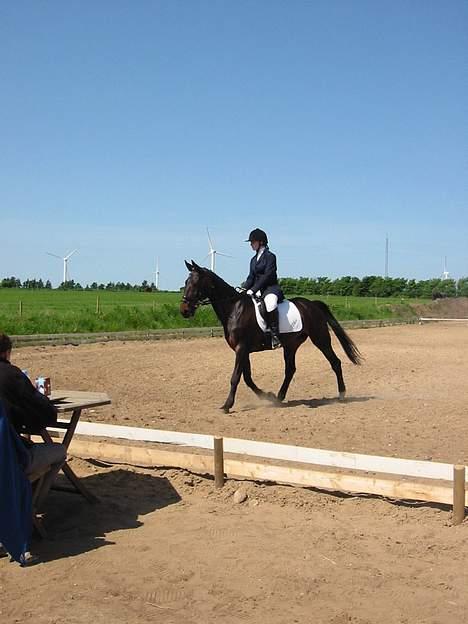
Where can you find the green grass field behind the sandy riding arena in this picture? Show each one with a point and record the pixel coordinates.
(55, 311)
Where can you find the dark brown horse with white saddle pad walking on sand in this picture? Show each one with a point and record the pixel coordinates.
(236, 312)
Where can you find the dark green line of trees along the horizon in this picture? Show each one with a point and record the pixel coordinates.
(368, 286)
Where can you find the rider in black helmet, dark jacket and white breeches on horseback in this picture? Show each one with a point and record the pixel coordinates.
(263, 281)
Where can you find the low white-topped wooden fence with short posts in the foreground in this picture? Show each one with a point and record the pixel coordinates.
(436, 482)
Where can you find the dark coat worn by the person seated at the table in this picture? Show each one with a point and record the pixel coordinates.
(28, 410)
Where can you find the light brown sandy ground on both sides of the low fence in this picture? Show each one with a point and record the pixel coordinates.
(164, 546)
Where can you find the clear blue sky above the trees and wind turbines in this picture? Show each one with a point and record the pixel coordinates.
(128, 127)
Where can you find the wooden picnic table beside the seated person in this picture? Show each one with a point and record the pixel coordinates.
(74, 402)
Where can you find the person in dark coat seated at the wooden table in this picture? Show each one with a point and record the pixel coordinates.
(28, 410)
